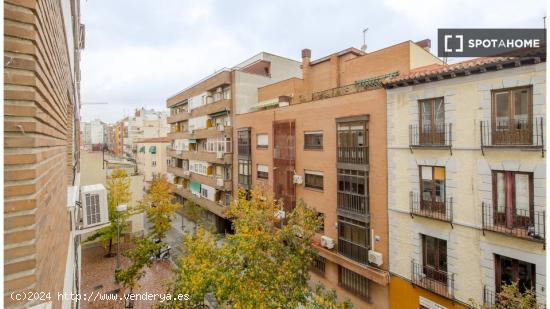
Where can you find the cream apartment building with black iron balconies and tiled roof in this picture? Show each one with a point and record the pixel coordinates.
(466, 181)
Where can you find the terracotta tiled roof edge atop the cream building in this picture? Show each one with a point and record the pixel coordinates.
(435, 72)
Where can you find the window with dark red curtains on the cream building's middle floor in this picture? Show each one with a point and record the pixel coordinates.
(512, 198)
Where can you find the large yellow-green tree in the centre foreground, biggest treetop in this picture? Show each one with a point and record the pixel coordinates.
(259, 265)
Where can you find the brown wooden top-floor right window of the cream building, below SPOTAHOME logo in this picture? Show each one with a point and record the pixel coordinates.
(512, 116)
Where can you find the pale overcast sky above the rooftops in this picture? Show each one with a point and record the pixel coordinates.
(139, 52)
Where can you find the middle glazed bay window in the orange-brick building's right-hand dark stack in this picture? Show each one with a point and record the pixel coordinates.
(352, 190)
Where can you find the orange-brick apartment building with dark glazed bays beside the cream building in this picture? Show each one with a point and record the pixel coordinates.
(321, 138)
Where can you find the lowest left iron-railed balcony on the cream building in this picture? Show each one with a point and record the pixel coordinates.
(437, 281)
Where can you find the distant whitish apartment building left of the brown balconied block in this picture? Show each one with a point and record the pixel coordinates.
(146, 123)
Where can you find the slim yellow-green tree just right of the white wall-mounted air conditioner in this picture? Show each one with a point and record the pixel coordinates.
(118, 192)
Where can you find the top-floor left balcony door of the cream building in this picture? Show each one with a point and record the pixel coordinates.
(432, 122)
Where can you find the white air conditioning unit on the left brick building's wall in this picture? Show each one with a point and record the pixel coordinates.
(94, 205)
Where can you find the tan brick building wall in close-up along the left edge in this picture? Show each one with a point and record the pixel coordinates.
(42, 43)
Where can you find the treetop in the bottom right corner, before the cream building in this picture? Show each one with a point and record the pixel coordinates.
(510, 297)
